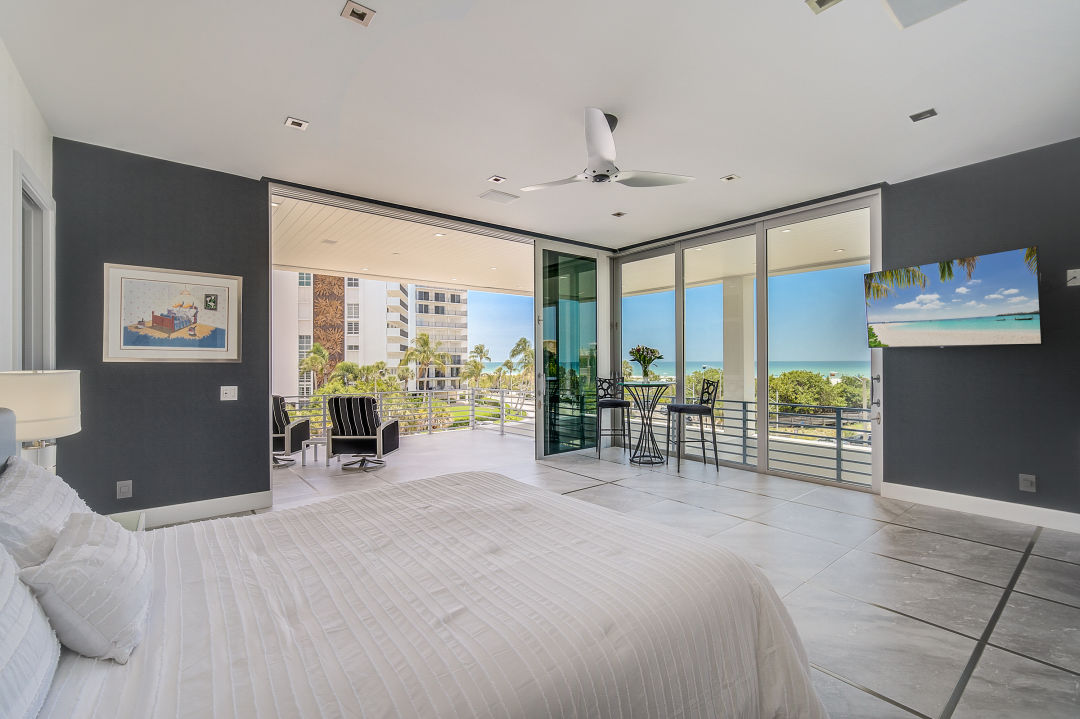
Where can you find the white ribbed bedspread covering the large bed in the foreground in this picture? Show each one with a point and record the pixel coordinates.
(466, 595)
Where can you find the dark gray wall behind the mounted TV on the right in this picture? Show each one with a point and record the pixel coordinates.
(969, 420)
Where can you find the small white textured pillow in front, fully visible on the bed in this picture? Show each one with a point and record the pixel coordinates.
(96, 588)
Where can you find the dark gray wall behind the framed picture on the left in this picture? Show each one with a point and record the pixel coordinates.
(160, 425)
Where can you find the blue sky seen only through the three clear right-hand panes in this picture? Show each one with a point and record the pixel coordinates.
(815, 317)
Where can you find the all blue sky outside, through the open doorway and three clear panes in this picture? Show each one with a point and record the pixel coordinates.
(816, 317)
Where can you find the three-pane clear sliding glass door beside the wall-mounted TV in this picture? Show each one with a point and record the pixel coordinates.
(775, 311)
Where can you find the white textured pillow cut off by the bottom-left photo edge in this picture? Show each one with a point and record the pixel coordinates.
(29, 648)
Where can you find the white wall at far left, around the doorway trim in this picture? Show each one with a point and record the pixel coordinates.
(23, 130)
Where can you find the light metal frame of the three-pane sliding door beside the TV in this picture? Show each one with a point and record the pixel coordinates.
(870, 200)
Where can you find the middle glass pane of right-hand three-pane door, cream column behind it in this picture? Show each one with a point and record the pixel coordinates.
(721, 332)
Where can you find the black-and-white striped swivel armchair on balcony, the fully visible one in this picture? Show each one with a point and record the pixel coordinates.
(356, 430)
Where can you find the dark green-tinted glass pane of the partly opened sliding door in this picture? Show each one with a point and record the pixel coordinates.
(569, 306)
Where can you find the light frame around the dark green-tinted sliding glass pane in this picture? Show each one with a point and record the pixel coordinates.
(604, 323)
